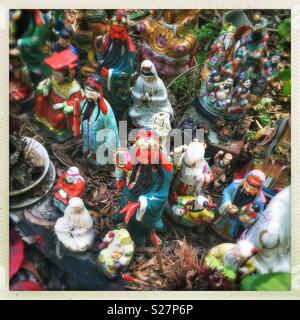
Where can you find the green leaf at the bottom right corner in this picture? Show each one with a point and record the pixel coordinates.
(278, 281)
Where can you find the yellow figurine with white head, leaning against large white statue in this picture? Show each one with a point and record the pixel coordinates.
(232, 259)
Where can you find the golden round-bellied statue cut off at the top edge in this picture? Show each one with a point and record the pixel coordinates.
(167, 41)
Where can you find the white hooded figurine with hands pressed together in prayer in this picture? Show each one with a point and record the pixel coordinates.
(150, 96)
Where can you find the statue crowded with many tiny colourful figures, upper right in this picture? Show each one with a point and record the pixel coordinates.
(237, 56)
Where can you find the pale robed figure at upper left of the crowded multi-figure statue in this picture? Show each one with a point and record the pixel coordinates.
(222, 48)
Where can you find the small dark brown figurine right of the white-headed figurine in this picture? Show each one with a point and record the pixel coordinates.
(220, 168)
